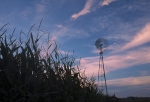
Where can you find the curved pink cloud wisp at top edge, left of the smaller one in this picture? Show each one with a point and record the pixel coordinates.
(84, 11)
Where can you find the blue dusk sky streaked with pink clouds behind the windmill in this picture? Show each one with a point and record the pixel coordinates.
(76, 24)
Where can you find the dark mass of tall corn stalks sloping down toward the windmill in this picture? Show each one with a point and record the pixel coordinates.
(27, 76)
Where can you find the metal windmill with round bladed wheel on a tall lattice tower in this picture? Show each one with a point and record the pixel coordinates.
(101, 45)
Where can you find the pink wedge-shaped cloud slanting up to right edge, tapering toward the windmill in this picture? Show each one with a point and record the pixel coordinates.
(141, 37)
